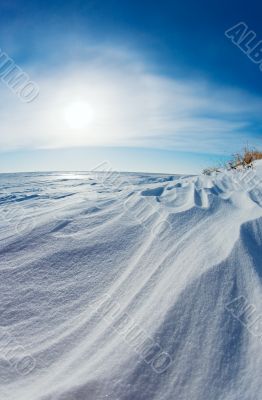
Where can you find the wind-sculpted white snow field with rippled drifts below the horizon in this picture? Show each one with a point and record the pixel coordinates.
(130, 286)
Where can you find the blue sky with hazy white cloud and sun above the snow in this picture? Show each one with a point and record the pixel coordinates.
(148, 86)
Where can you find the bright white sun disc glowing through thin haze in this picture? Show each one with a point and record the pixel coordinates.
(78, 114)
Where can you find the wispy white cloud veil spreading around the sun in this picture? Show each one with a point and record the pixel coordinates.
(132, 107)
